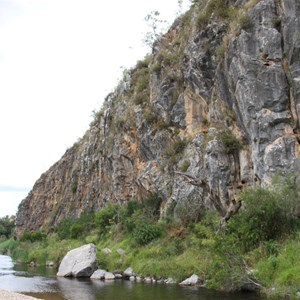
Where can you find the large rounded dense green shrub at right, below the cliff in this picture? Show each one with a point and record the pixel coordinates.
(264, 217)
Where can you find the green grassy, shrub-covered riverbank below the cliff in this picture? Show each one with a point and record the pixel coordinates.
(221, 256)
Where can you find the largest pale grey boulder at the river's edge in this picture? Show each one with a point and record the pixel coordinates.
(79, 262)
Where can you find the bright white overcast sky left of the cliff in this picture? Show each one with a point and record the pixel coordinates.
(58, 60)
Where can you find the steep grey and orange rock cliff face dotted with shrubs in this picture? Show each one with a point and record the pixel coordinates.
(213, 110)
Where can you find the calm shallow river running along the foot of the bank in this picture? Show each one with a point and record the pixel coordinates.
(42, 282)
